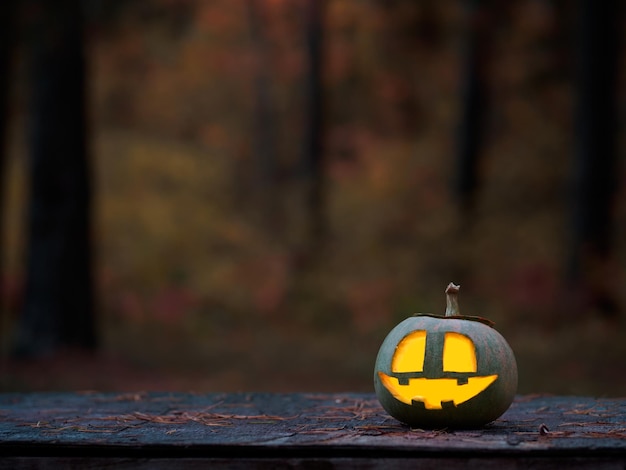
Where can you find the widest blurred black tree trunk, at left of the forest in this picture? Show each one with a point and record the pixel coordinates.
(58, 307)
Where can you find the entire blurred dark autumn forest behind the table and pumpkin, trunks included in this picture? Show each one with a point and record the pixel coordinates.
(272, 185)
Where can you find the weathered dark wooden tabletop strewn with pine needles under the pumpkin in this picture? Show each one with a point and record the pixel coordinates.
(259, 430)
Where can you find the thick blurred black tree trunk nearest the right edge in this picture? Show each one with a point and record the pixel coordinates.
(595, 159)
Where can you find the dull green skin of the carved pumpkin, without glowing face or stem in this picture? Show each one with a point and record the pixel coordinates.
(493, 356)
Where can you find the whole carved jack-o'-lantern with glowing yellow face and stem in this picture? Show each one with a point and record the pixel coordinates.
(445, 371)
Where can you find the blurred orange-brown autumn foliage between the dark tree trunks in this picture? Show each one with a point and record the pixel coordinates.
(205, 269)
